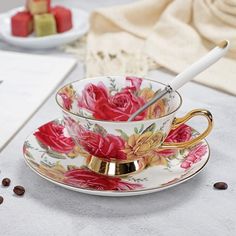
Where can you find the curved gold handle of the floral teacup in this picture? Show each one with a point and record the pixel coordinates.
(178, 121)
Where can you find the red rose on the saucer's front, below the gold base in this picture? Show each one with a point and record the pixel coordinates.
(85, 178)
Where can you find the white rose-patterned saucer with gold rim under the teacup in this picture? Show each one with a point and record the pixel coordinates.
(52, 154)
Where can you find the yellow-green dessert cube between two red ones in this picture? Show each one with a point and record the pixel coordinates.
(44, 25)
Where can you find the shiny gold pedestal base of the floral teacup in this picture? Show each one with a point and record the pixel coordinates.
(115, 168)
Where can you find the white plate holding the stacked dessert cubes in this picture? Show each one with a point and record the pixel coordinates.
(80, 27)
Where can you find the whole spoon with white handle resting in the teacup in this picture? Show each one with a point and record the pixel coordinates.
(181, 79)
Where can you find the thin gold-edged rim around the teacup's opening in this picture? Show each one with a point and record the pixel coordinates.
(116, 122)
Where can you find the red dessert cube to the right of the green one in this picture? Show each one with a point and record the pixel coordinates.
(63, 18)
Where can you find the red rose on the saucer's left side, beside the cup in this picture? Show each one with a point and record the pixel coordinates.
(52, 136)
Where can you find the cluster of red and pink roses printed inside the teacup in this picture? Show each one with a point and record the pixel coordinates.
(118, 107)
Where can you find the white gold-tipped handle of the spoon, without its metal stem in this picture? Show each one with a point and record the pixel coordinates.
(196, 68)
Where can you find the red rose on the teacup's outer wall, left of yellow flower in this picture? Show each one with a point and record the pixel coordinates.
(108, 146)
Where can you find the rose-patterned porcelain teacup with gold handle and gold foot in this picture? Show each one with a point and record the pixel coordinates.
(96, 110)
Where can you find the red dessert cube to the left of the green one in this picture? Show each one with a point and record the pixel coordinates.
(22, 24)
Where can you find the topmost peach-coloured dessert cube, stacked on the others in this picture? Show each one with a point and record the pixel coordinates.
(38, 6)
